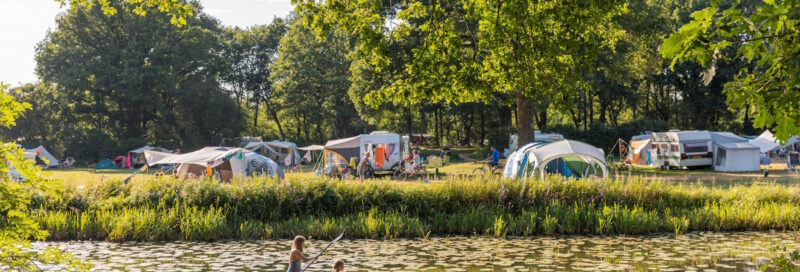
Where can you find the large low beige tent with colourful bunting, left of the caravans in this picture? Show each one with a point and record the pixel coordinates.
(225, 162)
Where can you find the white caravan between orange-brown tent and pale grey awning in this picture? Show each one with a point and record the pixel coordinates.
(682, 149)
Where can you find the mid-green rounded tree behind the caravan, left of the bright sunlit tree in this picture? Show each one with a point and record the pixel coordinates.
(311, 79)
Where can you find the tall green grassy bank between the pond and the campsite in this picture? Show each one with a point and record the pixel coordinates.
(168, 209)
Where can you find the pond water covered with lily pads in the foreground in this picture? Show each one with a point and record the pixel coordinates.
(741, 251)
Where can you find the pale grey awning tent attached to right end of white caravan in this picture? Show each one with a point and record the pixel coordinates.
(733, 153)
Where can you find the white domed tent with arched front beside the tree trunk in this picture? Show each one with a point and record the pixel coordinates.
(568, 158)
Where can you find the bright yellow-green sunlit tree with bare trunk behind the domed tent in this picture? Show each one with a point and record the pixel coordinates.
(464, 51)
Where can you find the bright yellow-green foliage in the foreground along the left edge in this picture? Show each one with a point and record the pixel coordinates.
(17, 228)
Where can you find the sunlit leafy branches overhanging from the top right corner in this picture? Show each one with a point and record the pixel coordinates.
(764, 34)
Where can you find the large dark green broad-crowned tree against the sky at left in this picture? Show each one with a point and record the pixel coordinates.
(140, 80)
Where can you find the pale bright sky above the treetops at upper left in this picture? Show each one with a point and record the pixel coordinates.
(24, 23)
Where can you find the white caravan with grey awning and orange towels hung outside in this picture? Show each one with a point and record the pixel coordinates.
(387, 150)
